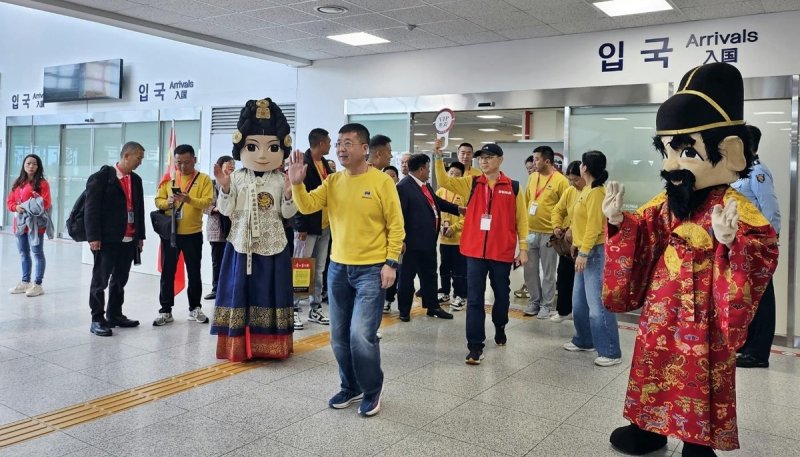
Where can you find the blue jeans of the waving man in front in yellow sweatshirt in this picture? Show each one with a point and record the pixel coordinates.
(356, 298)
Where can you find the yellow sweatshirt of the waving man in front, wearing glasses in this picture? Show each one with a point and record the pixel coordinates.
(365, 215)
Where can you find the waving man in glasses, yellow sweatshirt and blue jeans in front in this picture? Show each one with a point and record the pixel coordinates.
(367, 232)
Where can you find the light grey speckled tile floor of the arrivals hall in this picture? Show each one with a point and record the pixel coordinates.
(530, 398)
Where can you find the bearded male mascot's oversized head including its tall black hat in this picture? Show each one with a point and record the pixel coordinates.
(701, 135)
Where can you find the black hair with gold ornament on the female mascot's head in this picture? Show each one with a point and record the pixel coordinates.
(261, 117)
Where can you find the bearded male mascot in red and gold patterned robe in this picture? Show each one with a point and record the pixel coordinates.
(696, 259)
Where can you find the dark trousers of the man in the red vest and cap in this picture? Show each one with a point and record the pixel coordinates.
(500, 280)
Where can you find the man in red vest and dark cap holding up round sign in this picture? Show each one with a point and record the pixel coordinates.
(493, 239)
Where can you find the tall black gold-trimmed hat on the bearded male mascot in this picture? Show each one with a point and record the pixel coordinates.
(708, 97)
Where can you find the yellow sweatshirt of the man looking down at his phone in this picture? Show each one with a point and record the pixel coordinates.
(201, 194)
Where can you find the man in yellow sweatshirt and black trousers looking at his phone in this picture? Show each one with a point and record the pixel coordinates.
(195, 195)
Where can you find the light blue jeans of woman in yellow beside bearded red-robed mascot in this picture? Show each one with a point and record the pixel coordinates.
(595, 326)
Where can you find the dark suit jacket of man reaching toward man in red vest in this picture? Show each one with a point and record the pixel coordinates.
(418, 215)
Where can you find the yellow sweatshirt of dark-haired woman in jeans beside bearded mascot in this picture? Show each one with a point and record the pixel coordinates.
(588, 221)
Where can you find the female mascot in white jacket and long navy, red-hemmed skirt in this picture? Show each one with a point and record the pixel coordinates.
(253, 313)
